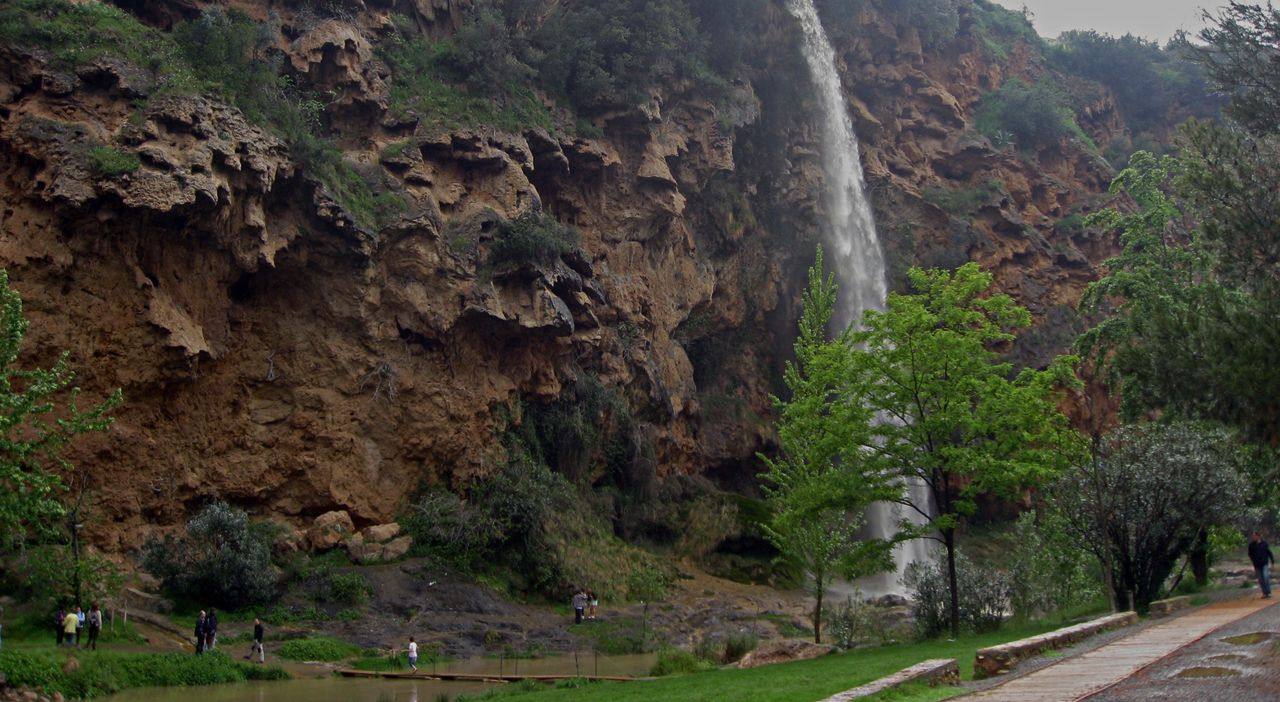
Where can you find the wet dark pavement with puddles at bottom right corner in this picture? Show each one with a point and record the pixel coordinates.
(1240, 663)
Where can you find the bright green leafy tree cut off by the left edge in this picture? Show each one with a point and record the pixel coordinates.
(39, 416)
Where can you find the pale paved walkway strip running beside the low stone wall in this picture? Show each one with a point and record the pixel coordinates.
(1103, 668)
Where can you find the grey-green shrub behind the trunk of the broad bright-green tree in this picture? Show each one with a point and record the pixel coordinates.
(984, 596)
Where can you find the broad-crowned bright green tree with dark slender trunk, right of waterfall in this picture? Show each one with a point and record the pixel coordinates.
(947, 412)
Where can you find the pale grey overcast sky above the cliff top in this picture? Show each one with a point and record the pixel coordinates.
(1154, 20)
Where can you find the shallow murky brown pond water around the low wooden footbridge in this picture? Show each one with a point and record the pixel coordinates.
(317, 683)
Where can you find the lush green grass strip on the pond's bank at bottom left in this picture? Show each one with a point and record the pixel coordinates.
(104, 672)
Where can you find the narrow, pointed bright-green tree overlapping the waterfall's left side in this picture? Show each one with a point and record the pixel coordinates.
(819, 487)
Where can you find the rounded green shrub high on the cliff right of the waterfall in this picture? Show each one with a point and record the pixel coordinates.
(1035, 115)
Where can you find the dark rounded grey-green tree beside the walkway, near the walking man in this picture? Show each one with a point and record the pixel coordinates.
(1144, 496)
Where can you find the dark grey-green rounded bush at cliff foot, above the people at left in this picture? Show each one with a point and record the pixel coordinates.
(223, 559)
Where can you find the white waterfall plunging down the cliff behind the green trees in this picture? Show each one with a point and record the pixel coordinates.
(856, 256)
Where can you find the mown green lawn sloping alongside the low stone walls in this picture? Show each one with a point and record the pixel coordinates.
(798, 682)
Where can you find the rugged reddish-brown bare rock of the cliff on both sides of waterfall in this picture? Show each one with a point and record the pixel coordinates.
(278, 354)
